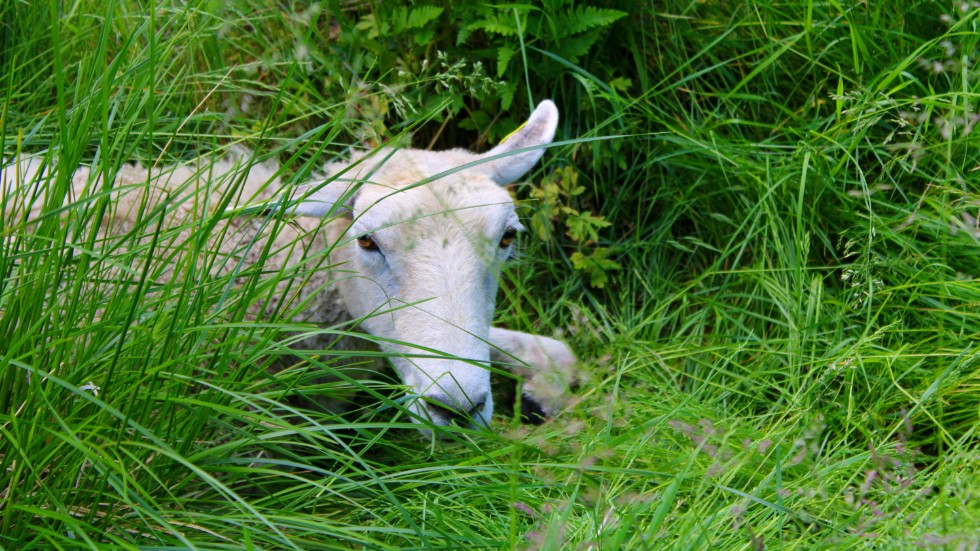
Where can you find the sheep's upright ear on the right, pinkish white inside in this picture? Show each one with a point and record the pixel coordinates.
(539, 130)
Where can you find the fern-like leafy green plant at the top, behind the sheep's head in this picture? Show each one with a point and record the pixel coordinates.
(437, 58)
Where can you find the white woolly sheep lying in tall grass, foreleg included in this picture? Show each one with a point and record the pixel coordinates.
(414, 245)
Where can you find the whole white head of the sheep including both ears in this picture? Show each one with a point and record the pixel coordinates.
(427, 236)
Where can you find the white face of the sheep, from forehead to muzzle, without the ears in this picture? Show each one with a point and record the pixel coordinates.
(427, 261)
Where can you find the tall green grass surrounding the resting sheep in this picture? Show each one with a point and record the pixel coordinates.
(785, 356)
